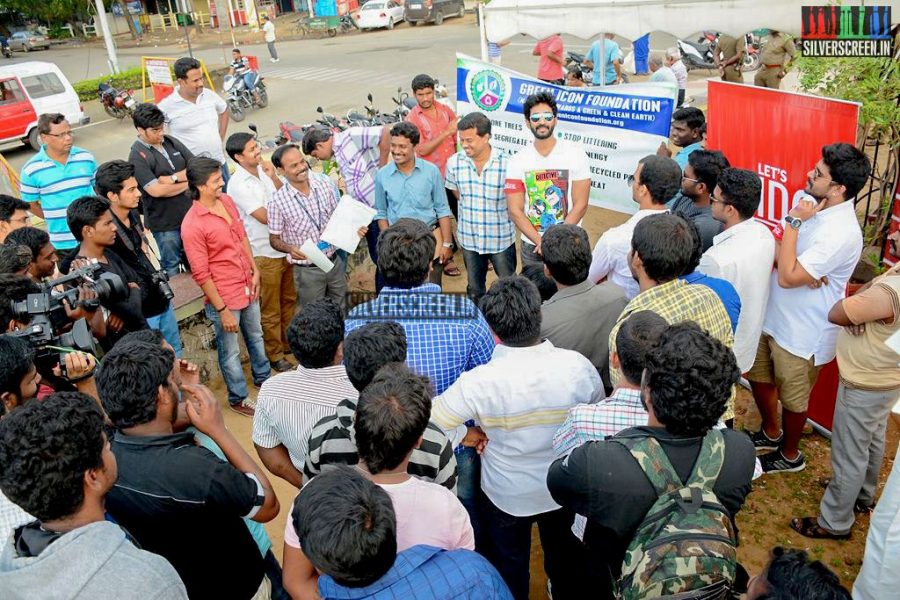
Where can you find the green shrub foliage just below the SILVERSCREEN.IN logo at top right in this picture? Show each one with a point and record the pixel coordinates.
(874, 82)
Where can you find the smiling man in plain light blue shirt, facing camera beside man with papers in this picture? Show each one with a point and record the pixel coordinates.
(413, 188)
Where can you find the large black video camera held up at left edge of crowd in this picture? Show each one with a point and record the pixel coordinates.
(45, 308)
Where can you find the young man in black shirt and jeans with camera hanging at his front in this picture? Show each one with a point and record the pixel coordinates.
(115, 181)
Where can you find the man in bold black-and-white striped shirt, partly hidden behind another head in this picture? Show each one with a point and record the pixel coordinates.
(333, 440)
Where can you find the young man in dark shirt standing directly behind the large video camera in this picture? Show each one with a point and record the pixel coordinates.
(91, 222)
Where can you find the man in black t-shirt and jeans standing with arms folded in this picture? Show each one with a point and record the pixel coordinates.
(159, 166)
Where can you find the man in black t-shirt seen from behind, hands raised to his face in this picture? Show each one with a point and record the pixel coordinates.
(176, 498)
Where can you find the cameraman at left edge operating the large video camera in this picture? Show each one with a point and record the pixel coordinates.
(21, 374)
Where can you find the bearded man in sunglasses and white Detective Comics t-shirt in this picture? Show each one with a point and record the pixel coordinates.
(547, 182)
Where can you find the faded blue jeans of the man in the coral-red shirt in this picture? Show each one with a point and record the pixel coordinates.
(229, 350)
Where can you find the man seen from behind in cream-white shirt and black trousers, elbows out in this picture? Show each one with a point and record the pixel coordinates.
(519, 398)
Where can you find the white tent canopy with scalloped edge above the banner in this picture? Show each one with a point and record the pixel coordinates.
(633, 18)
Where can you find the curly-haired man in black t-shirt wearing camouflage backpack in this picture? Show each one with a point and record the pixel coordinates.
(686, 385)
